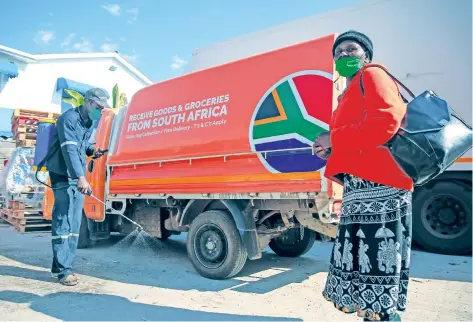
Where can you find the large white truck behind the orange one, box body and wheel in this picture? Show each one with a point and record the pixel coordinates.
(426, 44)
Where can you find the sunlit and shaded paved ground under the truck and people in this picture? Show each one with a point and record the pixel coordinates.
(141, 283)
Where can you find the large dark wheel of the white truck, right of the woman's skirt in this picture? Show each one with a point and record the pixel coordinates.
(442, 220)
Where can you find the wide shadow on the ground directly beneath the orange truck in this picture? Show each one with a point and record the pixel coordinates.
(166, 265)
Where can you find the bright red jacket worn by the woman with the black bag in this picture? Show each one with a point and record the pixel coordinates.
(361, 125)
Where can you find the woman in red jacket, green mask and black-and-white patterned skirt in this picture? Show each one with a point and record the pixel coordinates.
(369, 266)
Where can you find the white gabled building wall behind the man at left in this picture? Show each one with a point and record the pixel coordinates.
(35, 87)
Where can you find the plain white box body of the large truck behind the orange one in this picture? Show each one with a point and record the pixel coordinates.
(427, 44)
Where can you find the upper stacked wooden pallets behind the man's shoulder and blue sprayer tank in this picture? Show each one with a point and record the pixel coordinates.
(25, 125)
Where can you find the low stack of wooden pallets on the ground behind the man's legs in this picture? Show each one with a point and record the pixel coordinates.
(26, 216)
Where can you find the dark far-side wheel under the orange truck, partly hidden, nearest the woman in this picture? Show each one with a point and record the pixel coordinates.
(290, 243)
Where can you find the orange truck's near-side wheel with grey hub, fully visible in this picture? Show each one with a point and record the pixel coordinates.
(214, 245)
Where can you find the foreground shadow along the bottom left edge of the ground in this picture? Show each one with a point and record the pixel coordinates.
(101, 307)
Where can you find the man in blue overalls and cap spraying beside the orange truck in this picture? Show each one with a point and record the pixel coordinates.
(66, 165)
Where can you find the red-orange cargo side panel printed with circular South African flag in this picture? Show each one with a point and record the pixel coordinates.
(247, 126)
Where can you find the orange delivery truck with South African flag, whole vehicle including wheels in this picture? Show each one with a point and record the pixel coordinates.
(223, 154)
